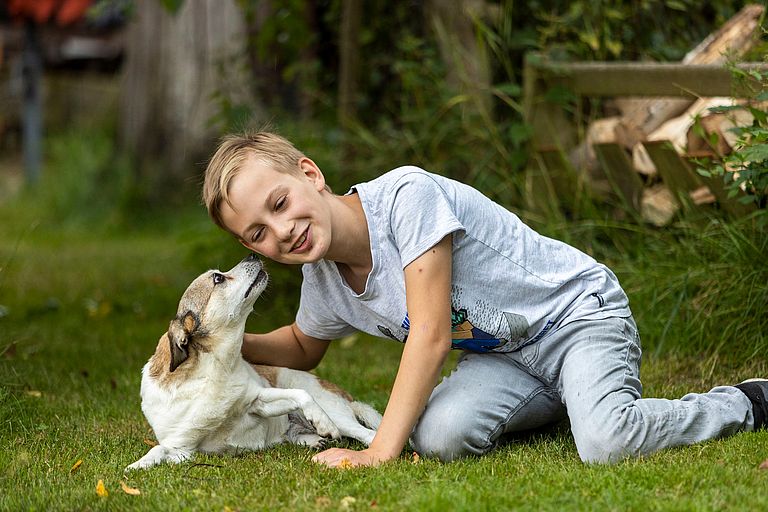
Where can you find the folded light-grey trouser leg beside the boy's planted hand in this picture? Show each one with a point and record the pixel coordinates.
(487, 395)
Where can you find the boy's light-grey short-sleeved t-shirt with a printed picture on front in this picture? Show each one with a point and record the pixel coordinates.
(510, 285)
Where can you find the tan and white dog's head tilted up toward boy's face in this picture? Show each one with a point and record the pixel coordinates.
(215, 305)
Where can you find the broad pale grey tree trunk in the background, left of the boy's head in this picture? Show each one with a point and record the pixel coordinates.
(174, 65)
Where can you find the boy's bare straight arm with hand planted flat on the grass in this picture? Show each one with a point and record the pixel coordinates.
(428, 292)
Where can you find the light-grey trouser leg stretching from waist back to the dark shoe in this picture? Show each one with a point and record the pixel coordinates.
(599, 381)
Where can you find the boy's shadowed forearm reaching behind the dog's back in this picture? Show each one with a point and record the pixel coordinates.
(286, 346)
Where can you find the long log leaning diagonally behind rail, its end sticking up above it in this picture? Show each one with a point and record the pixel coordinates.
(737, 36)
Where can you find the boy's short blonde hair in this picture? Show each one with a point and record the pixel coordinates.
(228, 160)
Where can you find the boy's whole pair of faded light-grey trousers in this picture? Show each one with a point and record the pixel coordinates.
(589, 370)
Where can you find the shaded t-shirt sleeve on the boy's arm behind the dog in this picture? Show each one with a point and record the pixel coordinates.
(314, 317)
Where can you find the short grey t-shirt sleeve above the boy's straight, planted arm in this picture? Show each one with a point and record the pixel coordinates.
(421, 215)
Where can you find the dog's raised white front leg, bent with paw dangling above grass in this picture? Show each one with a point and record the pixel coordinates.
(271, 402)
